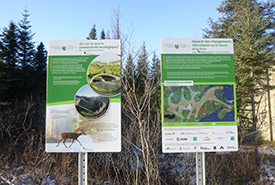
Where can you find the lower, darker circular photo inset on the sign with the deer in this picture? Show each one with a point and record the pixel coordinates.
(89, 104)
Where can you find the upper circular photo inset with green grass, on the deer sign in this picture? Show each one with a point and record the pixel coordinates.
(103, 74)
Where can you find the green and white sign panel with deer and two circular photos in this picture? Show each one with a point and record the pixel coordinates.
(83, 96)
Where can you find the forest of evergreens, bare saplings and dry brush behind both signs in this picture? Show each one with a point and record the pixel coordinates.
(23, 67)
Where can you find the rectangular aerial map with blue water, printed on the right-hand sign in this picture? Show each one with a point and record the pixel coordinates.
(199, 103)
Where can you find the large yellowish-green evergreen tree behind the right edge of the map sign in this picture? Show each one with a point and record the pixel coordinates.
(251, 25)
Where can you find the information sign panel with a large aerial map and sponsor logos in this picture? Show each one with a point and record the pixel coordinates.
(198, 95)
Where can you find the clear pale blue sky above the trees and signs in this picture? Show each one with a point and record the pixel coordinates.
(140, 21)
